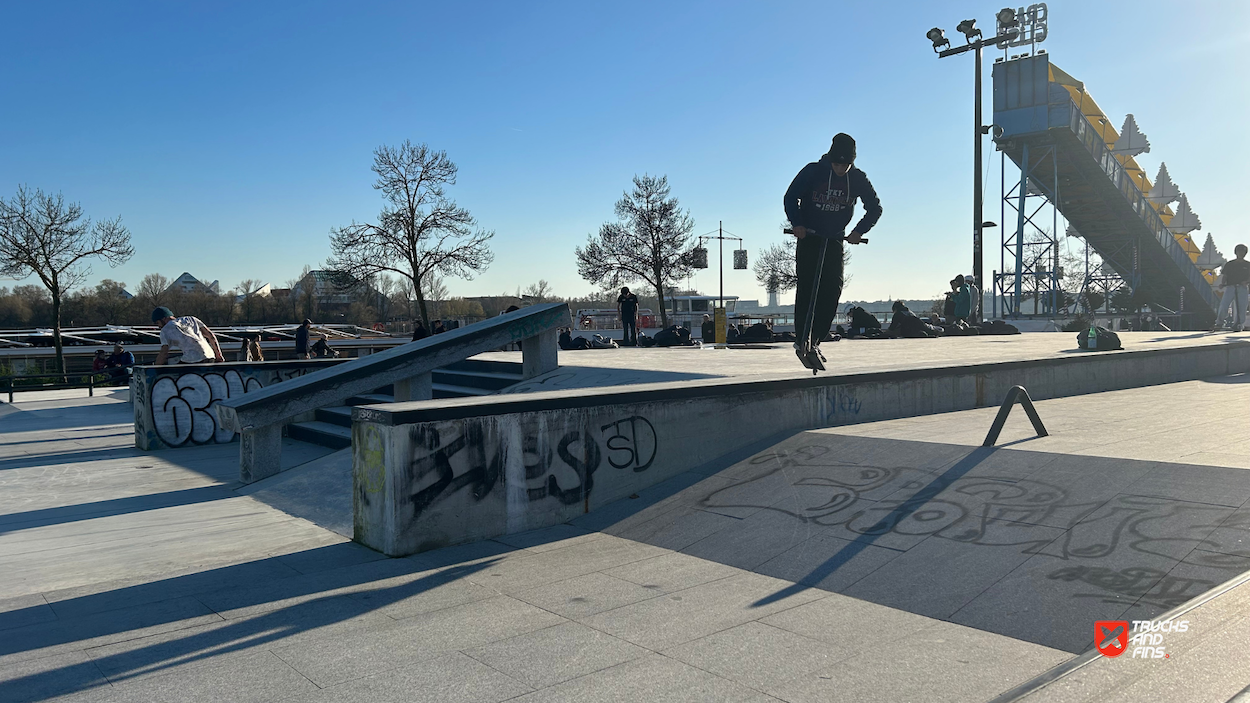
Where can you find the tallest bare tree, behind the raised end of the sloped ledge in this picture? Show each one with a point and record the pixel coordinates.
(421, 231)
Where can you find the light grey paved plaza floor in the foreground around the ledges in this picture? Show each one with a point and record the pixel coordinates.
(894, 561)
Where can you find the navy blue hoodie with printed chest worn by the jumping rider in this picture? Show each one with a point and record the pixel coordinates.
(823, 201)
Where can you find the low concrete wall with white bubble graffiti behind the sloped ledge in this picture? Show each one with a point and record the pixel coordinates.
(174, 403)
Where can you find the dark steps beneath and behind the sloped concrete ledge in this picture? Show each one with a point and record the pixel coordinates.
(463, 380)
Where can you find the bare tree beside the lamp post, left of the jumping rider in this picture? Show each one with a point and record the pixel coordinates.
(651, 241)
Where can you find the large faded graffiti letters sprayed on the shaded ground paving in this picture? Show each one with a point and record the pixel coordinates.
(868, 502)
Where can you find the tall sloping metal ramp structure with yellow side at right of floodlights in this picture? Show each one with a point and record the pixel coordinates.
(1068, 153)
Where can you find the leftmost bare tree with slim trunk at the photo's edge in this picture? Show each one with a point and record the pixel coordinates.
(44, 237)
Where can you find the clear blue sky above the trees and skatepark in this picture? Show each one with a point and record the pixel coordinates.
(232, 137)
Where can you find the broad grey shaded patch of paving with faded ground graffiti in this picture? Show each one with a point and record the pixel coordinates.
(1031, 545)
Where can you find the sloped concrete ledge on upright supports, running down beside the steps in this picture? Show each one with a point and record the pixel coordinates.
(261, 416)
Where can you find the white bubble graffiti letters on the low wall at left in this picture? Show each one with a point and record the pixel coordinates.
(183, 406)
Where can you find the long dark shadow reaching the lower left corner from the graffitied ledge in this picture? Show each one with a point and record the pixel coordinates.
(322, 599)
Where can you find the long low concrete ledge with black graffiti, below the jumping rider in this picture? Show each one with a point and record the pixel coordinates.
(433, 475)
